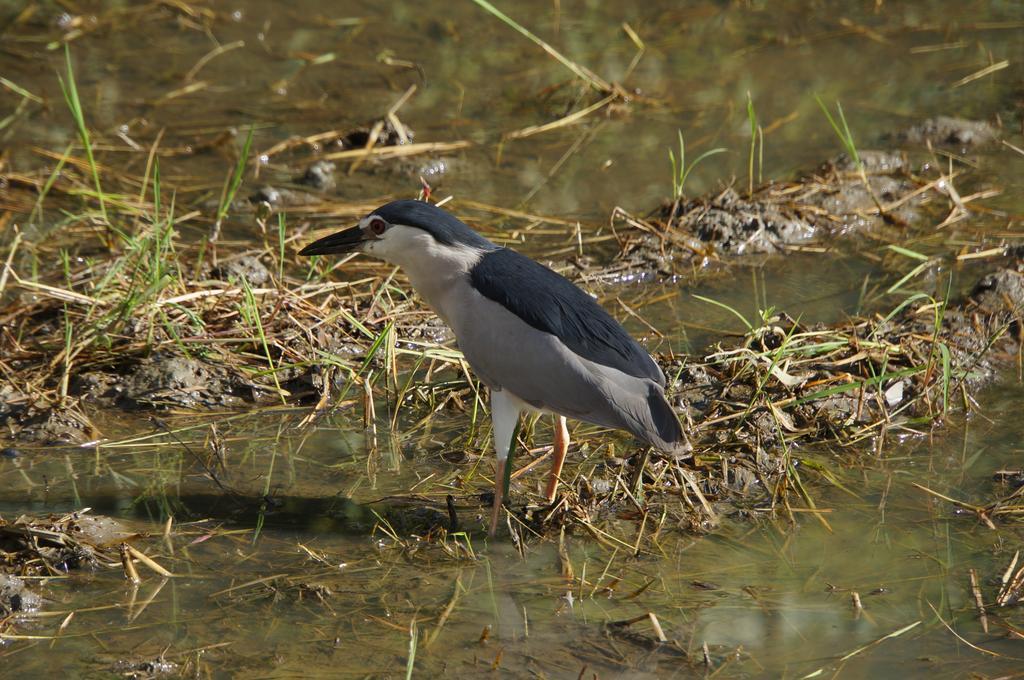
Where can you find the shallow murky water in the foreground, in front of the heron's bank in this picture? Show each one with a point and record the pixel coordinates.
(767, 597)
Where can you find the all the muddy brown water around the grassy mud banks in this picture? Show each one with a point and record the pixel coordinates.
(317, 591)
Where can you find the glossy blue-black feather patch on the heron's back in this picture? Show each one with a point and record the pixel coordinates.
(551, 304)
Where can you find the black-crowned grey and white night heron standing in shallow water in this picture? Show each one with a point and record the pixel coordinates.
(537, 341)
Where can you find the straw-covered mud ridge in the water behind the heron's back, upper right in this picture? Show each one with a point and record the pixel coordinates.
(813, 210)
